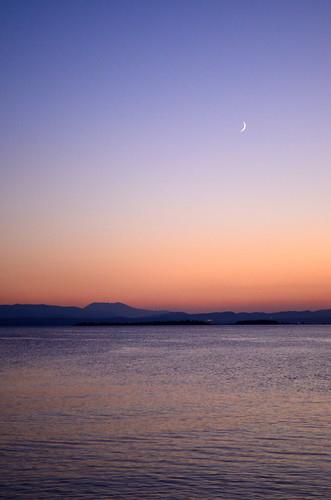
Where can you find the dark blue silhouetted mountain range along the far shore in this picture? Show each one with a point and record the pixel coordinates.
(117, 312)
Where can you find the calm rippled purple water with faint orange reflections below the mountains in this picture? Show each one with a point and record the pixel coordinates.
(165, 412)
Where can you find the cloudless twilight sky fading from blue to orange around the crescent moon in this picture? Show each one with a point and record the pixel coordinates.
(123, 172)
